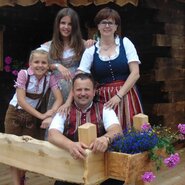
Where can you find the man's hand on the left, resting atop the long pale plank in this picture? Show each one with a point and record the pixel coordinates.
(77, 150)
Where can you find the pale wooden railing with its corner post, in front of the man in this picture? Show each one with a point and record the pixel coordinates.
(42, 157)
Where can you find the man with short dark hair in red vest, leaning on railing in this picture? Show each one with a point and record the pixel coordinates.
(63, 130)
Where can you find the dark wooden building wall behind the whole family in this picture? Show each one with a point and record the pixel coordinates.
(155, 27)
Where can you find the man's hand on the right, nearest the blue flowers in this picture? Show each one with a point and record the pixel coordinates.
(100, 144)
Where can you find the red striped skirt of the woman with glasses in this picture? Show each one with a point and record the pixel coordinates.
(129, 106)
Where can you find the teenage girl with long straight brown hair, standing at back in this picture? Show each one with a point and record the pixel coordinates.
(65, 51)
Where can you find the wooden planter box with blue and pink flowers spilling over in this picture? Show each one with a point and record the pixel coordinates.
(133, 156)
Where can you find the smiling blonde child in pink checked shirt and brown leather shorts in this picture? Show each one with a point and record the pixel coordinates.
(31, 86)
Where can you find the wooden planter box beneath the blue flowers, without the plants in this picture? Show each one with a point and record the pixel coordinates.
(127, 167)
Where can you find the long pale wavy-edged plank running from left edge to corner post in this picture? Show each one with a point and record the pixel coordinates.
(40, 157)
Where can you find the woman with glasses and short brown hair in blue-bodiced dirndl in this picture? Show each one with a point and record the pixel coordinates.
(114, 63)
